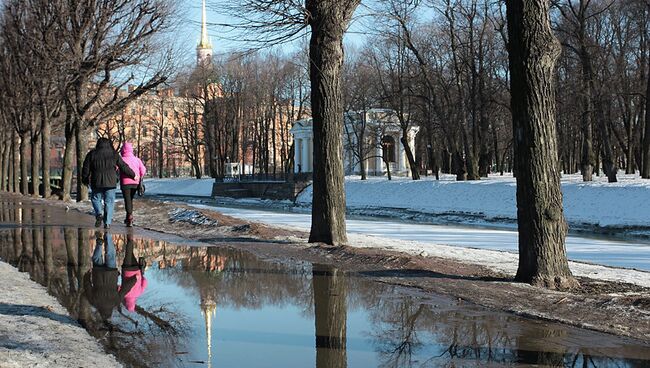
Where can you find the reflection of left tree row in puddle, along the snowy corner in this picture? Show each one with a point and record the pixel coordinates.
(58, 259)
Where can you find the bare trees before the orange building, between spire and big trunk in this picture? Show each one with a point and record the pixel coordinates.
(247, 104)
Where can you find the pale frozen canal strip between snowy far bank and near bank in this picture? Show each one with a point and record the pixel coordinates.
(592, 249)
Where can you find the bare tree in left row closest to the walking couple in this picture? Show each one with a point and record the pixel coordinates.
(103, 39)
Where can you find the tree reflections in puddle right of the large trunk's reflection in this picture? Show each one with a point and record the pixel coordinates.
(408, 333)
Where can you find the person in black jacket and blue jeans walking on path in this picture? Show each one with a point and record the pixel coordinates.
(100, 172)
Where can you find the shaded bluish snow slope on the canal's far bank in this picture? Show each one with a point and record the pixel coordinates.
(598, 203)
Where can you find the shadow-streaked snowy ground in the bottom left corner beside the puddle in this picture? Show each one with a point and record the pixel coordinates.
(36, 331)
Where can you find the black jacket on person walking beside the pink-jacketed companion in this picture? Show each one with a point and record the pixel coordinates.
(99, 168)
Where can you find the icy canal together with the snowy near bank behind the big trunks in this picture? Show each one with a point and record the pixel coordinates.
(497, 247)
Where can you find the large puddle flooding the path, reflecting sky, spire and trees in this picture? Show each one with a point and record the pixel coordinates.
(192, 305)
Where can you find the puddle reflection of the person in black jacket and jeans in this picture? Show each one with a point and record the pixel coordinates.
(100, 283)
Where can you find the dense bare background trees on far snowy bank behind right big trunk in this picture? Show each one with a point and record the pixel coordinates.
(443, 65)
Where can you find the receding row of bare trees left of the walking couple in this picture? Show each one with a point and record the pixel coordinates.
(62, 64)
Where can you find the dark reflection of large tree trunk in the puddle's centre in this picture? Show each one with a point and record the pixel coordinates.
(330, 315)
